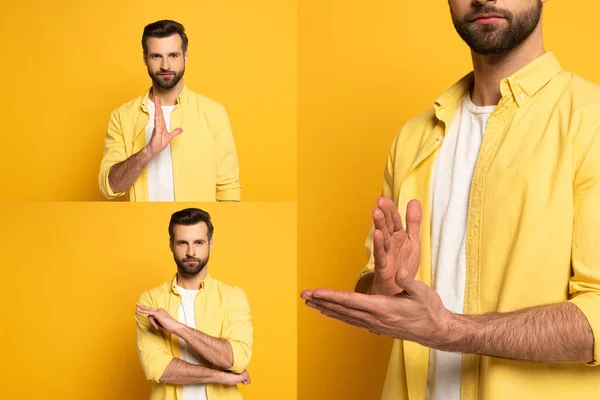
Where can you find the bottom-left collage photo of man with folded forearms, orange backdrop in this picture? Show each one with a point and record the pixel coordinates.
(85, 278)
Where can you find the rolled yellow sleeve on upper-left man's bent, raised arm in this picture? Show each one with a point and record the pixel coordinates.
(114, 153)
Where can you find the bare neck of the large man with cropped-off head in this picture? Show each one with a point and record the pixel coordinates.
(489, 70)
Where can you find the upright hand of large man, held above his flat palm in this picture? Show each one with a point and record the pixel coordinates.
(395, 250)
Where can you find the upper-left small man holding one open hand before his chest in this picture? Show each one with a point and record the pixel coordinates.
(170, 144)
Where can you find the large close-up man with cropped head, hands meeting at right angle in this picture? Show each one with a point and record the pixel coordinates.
(500, 185)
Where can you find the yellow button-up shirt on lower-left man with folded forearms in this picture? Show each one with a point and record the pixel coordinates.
(221, 311)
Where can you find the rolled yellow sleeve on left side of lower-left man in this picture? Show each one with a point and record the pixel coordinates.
(151, 344)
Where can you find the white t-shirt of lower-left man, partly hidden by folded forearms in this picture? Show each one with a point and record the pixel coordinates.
(187, 317)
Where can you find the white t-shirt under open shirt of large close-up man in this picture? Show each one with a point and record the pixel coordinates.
(451, 185)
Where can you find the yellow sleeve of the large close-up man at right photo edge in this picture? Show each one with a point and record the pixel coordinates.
(584, 285)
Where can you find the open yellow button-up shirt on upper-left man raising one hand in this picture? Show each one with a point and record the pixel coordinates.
(205, 164)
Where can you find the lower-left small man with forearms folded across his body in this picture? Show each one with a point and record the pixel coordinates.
(194, 333)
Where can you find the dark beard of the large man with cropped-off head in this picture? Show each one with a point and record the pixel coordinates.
(493, 39)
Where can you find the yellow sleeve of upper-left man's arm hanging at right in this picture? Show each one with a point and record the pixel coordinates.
(228, 171)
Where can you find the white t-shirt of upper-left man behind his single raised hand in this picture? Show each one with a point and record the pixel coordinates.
(160, 168)
